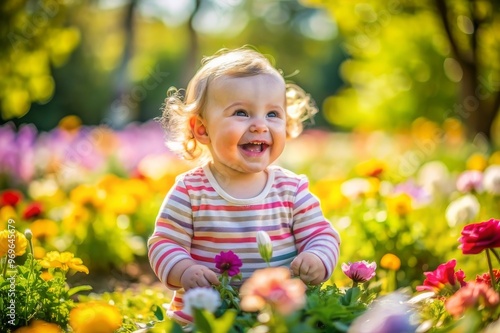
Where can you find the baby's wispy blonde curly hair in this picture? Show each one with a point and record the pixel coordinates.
(178, 110)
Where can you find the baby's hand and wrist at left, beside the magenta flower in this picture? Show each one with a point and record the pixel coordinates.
(188, 274)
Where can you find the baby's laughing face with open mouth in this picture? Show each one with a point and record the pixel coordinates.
(245, 121)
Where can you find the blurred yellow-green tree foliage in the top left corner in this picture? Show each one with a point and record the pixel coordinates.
(34, 37)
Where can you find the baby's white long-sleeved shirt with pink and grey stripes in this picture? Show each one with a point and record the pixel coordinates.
(198, 220)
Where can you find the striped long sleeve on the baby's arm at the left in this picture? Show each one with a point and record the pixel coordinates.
(171, 239)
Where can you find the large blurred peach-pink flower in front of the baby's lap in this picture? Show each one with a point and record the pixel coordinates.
(273, 286)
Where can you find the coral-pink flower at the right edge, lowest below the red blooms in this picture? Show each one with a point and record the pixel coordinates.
(472, 295)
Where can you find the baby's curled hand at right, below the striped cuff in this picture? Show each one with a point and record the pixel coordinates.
(309, 268)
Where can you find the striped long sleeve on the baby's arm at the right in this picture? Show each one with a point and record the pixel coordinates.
(313, 232)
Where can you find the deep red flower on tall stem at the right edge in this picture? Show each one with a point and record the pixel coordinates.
(479, 236)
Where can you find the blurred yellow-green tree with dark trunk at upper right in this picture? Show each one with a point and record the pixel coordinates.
(432, 58)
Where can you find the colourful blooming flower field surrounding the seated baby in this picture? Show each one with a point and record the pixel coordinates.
(418, 213)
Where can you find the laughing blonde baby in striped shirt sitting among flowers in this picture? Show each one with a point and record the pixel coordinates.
(235, 117)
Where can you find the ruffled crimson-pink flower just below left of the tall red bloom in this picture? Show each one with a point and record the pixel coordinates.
(443, 279)
